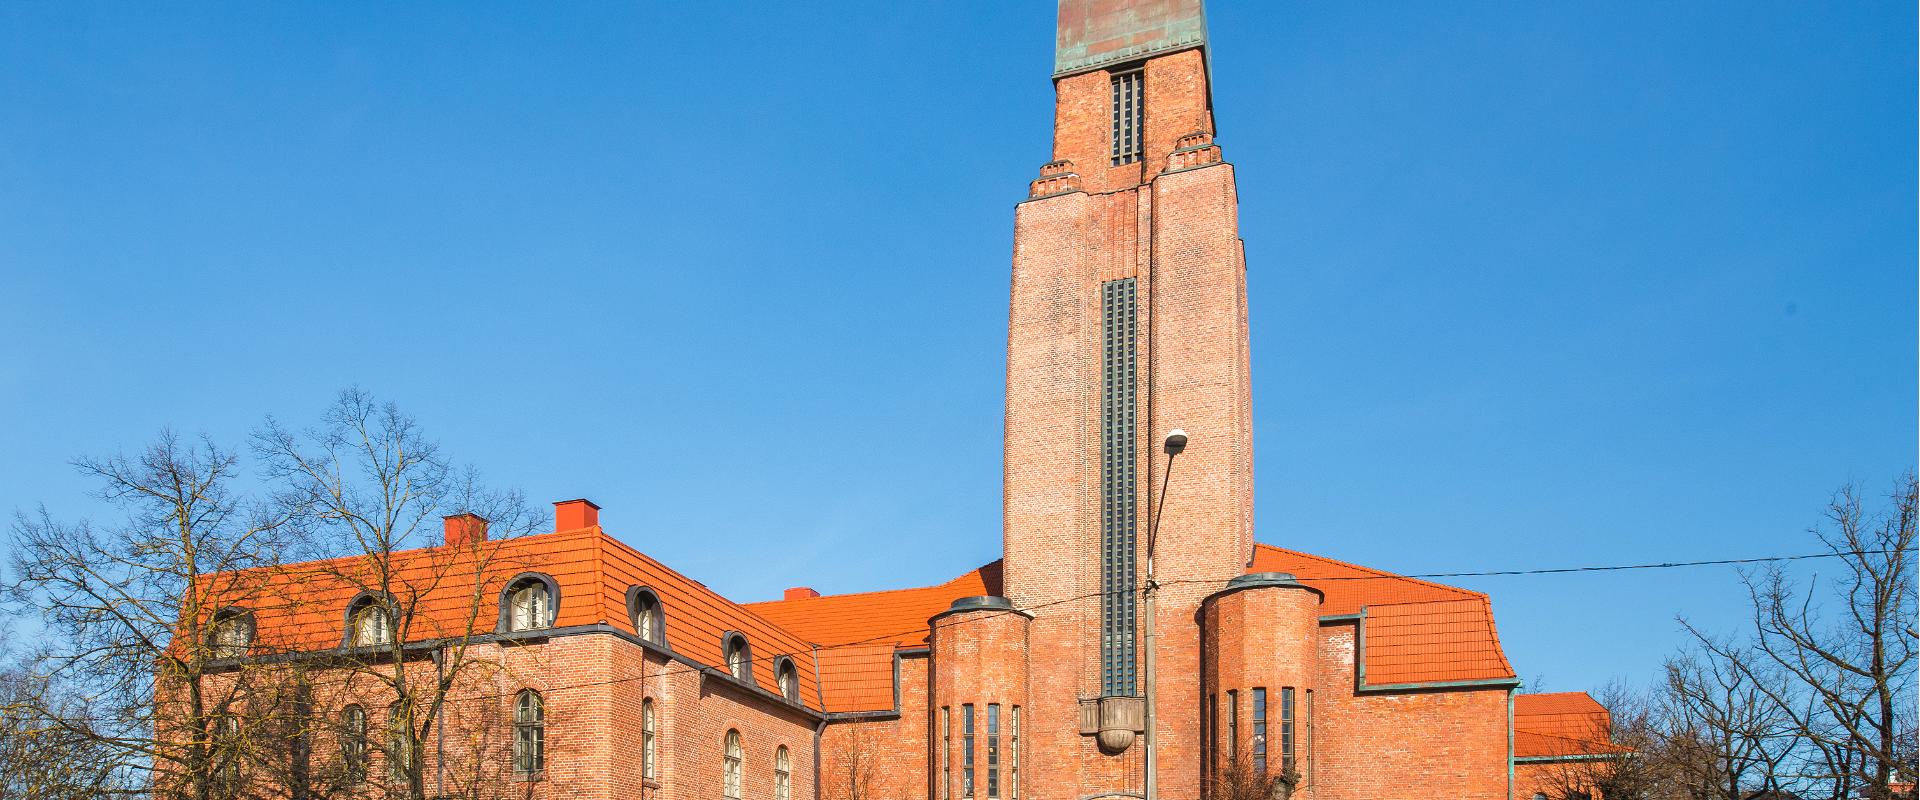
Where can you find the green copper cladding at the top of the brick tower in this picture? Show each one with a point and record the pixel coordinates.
(1101, 34)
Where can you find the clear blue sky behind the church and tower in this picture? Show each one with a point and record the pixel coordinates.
(1533, 285)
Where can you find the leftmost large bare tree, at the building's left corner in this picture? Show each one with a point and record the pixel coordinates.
(132, 624)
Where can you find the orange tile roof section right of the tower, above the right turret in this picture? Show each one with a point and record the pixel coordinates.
(1416, 632)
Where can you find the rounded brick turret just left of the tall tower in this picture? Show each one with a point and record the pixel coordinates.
(978, 694)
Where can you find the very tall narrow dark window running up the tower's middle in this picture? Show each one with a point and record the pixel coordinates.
(1116, 488)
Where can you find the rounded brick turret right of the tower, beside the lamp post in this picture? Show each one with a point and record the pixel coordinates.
(1257, 672)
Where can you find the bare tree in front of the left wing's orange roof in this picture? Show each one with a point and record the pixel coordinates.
(372, 490)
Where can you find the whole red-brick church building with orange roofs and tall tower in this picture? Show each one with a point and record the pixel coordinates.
(1134, 642)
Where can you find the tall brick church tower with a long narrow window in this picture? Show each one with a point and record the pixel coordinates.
(1128, 321)
